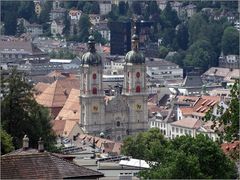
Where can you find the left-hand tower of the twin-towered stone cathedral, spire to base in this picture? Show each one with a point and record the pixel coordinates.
(91, 90)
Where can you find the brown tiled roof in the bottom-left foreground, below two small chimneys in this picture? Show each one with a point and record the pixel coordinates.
(42, 166)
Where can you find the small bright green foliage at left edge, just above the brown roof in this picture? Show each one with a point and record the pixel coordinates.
(6, 142)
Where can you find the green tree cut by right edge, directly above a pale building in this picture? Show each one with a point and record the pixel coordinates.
(230, 41)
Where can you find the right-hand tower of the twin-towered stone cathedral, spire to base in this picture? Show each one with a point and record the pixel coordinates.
(134, 88)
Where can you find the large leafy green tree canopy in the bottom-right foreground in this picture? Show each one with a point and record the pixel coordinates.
(184, 157)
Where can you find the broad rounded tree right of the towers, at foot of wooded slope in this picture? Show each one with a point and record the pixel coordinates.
(200, 54)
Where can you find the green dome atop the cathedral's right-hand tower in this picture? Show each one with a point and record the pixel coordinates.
(135, 57)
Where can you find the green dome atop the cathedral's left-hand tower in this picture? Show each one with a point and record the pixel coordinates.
(91, 58)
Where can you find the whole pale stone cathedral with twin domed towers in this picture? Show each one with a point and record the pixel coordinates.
(119, 116)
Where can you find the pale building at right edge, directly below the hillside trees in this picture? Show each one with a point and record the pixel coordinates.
(229, 61)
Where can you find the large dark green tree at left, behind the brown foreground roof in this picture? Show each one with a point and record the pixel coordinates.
(22, 115)
